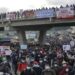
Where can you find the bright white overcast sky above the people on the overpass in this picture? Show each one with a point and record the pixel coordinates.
(13, 5)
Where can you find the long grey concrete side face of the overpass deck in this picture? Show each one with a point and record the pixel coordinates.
(32, 22)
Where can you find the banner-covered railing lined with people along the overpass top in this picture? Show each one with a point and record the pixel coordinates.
(54, 14)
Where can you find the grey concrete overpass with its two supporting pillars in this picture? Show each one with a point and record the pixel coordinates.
(41, 24)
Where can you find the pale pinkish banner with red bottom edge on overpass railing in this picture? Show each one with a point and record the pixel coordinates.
(65, 12)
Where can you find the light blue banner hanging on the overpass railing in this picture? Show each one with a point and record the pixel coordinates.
(45, 13)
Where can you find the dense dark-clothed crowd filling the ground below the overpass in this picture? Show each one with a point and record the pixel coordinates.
(51, 58)
